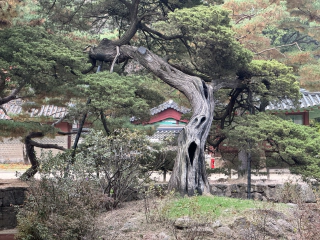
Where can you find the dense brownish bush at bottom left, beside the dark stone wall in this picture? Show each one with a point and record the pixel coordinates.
(60, 206)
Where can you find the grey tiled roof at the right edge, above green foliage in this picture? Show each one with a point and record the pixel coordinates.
(308, 100)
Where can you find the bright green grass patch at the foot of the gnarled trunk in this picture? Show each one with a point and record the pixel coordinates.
(214, 207)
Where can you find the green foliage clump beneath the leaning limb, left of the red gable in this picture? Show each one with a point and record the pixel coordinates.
(119, 98)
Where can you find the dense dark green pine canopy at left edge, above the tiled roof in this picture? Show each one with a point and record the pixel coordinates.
(37, 65)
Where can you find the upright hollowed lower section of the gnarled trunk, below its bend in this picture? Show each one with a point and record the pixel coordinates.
(189, 172)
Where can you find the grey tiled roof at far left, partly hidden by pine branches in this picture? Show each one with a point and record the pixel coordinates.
(14, 107)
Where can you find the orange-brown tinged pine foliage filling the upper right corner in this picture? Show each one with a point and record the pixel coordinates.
(282, 30)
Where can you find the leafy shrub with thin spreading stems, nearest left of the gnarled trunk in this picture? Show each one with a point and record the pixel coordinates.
(117, 161)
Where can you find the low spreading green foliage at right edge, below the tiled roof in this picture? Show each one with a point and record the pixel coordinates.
(283, 141)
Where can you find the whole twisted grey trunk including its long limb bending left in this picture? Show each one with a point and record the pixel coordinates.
(189, 175)
